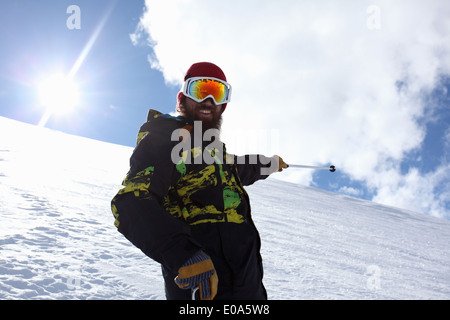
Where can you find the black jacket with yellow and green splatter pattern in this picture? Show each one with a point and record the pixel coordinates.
(176, 201)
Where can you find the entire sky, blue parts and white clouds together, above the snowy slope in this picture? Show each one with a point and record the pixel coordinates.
(362, 85)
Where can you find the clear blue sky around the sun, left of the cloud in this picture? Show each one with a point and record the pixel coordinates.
(116, 83)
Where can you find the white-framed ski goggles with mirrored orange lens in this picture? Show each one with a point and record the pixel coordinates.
(202, 88)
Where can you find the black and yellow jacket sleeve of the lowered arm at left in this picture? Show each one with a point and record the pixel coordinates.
(140, 217)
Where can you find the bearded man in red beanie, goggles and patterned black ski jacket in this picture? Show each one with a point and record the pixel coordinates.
(183, 202)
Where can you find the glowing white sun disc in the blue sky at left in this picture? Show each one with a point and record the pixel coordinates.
(59, 94)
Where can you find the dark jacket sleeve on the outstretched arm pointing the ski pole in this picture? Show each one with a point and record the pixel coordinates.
(252, 168)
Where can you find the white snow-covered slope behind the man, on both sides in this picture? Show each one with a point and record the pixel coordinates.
(58, 241)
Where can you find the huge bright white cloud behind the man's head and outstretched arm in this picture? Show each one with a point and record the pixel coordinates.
(334, 89)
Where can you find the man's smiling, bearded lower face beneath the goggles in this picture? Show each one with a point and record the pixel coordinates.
(205, 111)
